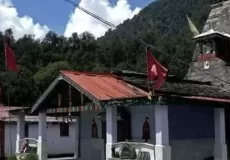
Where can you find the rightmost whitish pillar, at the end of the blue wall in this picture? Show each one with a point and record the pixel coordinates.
(220, 147)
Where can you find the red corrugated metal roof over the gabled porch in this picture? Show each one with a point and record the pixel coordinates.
(104, 86)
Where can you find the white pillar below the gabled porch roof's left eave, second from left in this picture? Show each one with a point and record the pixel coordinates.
(42, 141)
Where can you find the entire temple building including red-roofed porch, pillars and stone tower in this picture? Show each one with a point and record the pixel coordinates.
(117, 118)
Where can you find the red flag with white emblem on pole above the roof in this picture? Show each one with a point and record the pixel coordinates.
(155, 70)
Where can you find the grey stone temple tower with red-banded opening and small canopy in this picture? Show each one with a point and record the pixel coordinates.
(212, 52)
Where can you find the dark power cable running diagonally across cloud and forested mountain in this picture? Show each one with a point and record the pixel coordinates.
(140, 40)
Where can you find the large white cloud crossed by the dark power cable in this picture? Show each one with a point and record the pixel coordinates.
(80, 22)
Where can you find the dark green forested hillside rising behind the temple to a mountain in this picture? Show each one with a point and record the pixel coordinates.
(162, 24)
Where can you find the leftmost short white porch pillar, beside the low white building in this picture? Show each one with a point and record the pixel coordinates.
(20, 130)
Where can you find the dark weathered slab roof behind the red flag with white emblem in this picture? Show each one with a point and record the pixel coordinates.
(174, 85)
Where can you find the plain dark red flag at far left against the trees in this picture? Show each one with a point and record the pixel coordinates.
(10, 59)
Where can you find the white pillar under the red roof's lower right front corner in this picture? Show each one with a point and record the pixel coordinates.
(111, 130)
